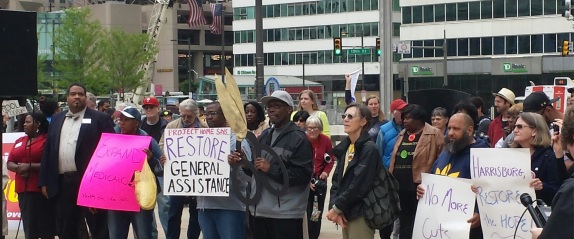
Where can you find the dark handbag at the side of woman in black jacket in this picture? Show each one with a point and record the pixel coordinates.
(381, 205)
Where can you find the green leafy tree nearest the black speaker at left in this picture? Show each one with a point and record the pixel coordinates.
(78, 52)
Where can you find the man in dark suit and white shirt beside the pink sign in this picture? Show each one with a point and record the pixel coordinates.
(72, 139)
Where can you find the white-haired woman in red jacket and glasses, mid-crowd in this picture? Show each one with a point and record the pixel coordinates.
(322, 167)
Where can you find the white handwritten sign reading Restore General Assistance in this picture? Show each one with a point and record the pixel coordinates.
(197, 161)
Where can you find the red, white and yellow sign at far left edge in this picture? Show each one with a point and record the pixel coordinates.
(12, 207)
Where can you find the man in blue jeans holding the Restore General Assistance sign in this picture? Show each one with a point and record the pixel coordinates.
(223, 217)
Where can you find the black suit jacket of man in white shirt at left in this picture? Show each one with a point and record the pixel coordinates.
(88, 139)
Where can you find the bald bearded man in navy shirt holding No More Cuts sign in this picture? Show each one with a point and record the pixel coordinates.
(454, 161)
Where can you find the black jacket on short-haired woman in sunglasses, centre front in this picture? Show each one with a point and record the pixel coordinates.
(348, 190)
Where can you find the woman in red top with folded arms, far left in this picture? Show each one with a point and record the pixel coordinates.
(38, 213)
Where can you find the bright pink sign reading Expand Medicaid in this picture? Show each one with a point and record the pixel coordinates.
(107, 182)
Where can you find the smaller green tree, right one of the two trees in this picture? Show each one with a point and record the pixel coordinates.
(122, 56)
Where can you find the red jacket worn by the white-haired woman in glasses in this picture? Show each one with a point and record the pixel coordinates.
(321, 146)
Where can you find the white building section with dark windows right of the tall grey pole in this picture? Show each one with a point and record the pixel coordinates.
(490, 44)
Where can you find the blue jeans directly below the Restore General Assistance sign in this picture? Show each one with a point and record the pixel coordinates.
(222, 224)
